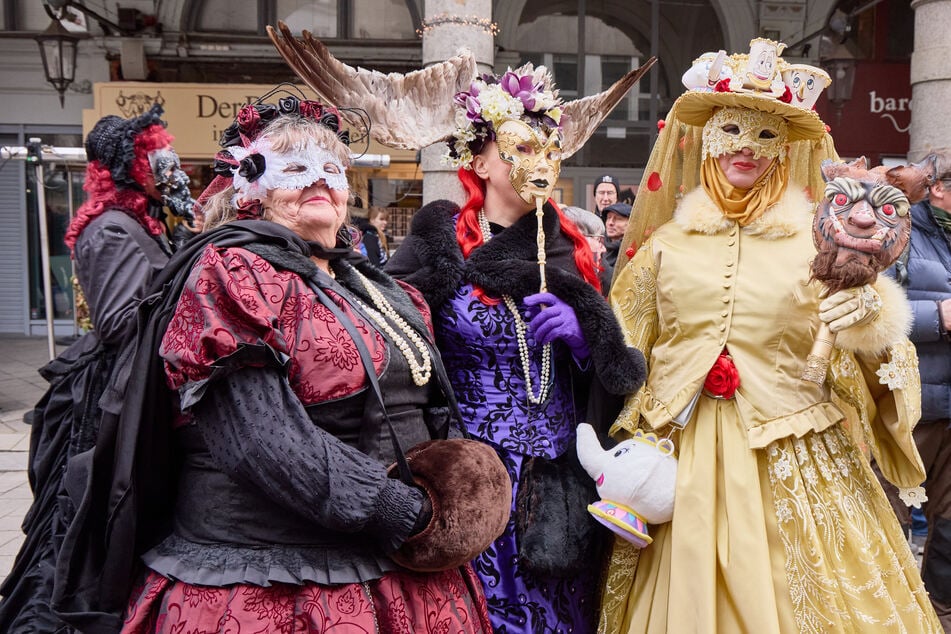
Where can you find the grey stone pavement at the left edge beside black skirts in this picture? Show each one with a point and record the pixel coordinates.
(20, 388)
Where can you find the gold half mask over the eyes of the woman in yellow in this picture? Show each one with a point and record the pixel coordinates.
(730, 130)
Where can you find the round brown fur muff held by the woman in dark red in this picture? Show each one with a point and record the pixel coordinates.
(471, 494)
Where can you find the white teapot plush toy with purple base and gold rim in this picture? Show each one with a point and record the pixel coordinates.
(635, 479)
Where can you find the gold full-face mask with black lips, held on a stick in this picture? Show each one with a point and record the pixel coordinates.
(535, 158)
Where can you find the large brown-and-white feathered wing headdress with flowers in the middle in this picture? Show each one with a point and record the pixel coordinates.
(420, 108)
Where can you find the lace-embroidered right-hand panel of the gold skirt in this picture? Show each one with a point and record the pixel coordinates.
(846, 565)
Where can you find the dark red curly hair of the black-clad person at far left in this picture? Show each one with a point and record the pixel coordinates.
(103, 195)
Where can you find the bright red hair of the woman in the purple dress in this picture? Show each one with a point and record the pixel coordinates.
(469, 234)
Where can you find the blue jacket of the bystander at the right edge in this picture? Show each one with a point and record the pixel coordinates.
(929, 280)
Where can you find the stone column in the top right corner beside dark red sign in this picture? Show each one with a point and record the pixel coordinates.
(930, 78)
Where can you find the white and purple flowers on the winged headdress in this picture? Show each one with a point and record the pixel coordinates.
(524, 94)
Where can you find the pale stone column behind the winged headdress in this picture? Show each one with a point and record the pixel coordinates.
(441, 42)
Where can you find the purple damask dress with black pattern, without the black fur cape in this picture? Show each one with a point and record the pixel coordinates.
(481, 354)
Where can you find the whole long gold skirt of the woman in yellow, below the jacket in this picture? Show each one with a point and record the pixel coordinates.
(795, 537)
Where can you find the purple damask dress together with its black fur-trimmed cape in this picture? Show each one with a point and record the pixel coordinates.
(480, 351)
